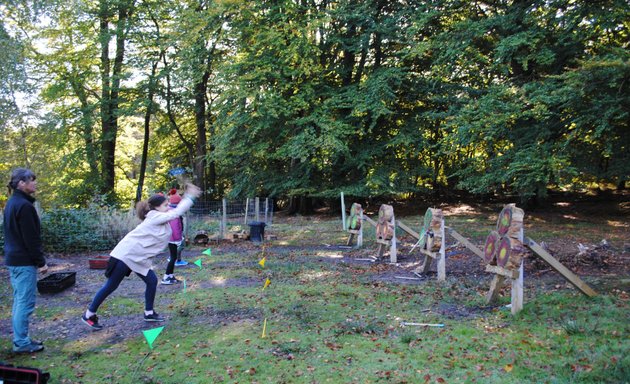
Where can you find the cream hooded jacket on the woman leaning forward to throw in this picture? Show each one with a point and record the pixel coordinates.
(149, 238)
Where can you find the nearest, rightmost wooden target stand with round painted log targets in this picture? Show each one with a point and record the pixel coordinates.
(504, 253)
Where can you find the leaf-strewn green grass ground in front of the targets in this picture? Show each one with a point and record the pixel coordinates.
(329, 321)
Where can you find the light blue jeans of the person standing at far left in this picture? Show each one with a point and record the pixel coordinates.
(24, 283)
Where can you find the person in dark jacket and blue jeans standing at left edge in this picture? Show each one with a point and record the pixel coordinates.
(23, 255)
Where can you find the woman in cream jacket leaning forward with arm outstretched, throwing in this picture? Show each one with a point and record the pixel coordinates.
(134, 253)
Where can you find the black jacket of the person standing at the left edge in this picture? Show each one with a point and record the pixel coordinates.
(22, 232)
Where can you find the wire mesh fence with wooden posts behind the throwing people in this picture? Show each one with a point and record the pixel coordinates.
(95, 229)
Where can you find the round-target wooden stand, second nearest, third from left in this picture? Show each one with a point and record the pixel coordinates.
(432, 243)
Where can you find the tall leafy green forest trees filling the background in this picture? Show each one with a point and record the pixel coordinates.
(300, 100)
